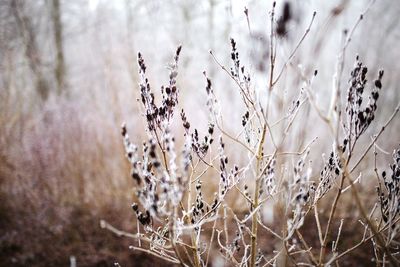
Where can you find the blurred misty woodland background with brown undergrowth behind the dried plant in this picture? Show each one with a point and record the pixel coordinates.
(68, 79)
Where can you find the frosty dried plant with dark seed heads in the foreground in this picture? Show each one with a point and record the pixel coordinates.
(182, 225)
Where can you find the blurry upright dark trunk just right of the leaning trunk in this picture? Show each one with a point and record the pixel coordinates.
(58, 39)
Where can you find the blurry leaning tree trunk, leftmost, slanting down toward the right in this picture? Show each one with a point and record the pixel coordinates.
(28, 35)
